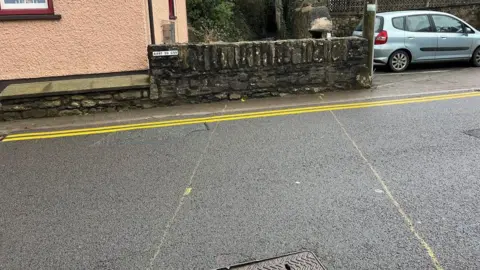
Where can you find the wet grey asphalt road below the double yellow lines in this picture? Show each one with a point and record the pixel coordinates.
(343, 184)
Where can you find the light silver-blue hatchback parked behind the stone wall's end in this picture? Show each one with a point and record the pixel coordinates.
(405, 37)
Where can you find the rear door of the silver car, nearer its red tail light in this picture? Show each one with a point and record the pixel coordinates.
(420, 38)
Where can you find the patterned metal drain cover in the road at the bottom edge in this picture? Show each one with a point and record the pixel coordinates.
(303, 260)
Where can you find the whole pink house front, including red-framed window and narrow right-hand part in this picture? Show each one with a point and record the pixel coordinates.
(50, 38)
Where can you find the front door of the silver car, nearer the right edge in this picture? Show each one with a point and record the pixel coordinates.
(453, 41)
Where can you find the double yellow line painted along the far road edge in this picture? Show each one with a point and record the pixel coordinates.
(230, 117)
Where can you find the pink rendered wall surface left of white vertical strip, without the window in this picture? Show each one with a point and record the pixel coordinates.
(92, 37)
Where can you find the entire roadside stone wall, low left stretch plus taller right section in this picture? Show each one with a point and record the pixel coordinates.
(212, 72)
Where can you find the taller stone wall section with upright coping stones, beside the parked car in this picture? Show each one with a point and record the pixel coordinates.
(208, 72)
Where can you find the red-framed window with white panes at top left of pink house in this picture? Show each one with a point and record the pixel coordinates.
(26, 7)
